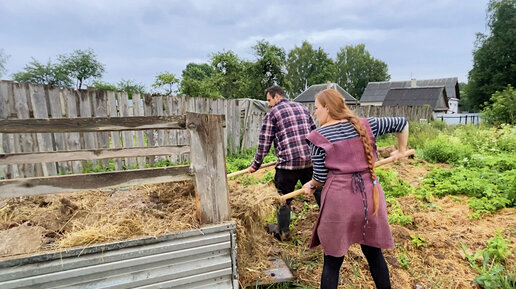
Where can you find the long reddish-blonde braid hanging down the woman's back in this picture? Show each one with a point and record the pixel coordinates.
(368, 149)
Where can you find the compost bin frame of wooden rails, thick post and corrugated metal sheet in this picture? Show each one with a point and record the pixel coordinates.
(199, 258)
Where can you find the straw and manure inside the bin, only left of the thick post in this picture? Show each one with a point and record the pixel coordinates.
(93, 217)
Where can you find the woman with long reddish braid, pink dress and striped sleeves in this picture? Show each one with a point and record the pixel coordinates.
(353, 208)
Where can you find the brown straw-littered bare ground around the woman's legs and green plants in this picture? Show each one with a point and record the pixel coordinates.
(439, 263)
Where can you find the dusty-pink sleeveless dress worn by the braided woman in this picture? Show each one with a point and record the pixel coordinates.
(346, 213)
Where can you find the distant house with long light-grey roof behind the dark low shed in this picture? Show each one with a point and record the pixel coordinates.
(376, 92)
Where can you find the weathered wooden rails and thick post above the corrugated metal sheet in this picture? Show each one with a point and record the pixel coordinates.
(208, 167)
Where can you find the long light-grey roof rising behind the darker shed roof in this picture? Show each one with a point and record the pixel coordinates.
(376, 91)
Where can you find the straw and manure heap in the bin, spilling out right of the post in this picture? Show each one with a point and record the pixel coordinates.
(64, 221)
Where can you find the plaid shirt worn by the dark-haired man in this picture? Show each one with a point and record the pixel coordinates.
(287, 124)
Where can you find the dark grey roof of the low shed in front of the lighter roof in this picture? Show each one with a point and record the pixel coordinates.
(418, 96)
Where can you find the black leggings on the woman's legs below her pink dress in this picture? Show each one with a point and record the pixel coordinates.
(377, 266)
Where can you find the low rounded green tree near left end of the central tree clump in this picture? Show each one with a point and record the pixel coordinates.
(199, 80)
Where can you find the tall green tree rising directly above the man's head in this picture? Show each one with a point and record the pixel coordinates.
(269, 69)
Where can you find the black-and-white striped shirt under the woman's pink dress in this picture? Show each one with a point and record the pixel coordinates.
(345, 130)
